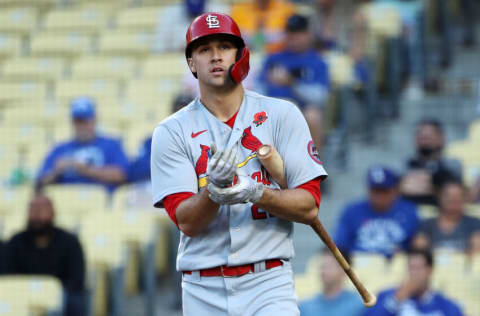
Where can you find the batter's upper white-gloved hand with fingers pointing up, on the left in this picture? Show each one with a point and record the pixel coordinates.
(222, 166)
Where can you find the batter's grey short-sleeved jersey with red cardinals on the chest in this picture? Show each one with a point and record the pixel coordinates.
(241, 233)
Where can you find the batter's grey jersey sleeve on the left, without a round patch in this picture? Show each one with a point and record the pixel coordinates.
(171, 169)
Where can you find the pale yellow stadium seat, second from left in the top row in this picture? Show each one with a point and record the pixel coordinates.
(83, 21)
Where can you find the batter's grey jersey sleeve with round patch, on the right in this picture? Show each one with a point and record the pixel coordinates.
(294, 143)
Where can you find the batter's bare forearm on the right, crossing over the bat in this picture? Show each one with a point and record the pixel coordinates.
(295, 205)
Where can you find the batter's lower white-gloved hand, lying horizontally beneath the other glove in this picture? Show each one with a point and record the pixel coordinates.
(245, 190)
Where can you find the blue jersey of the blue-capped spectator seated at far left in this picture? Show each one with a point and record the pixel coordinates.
(101, 151)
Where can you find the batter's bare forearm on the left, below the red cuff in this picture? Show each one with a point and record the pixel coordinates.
(196, 213)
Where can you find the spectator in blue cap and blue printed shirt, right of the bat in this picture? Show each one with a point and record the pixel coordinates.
(383, 223)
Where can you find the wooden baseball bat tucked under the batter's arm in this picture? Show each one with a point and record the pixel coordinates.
(272, 161)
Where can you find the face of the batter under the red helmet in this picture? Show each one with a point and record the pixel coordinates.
(211, 60)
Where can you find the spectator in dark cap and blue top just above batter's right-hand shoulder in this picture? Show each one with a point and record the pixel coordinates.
(299, 74)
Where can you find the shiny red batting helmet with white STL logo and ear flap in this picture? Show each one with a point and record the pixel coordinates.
(212, 23)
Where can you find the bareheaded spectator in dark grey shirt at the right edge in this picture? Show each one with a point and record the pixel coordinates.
(451, 229)
